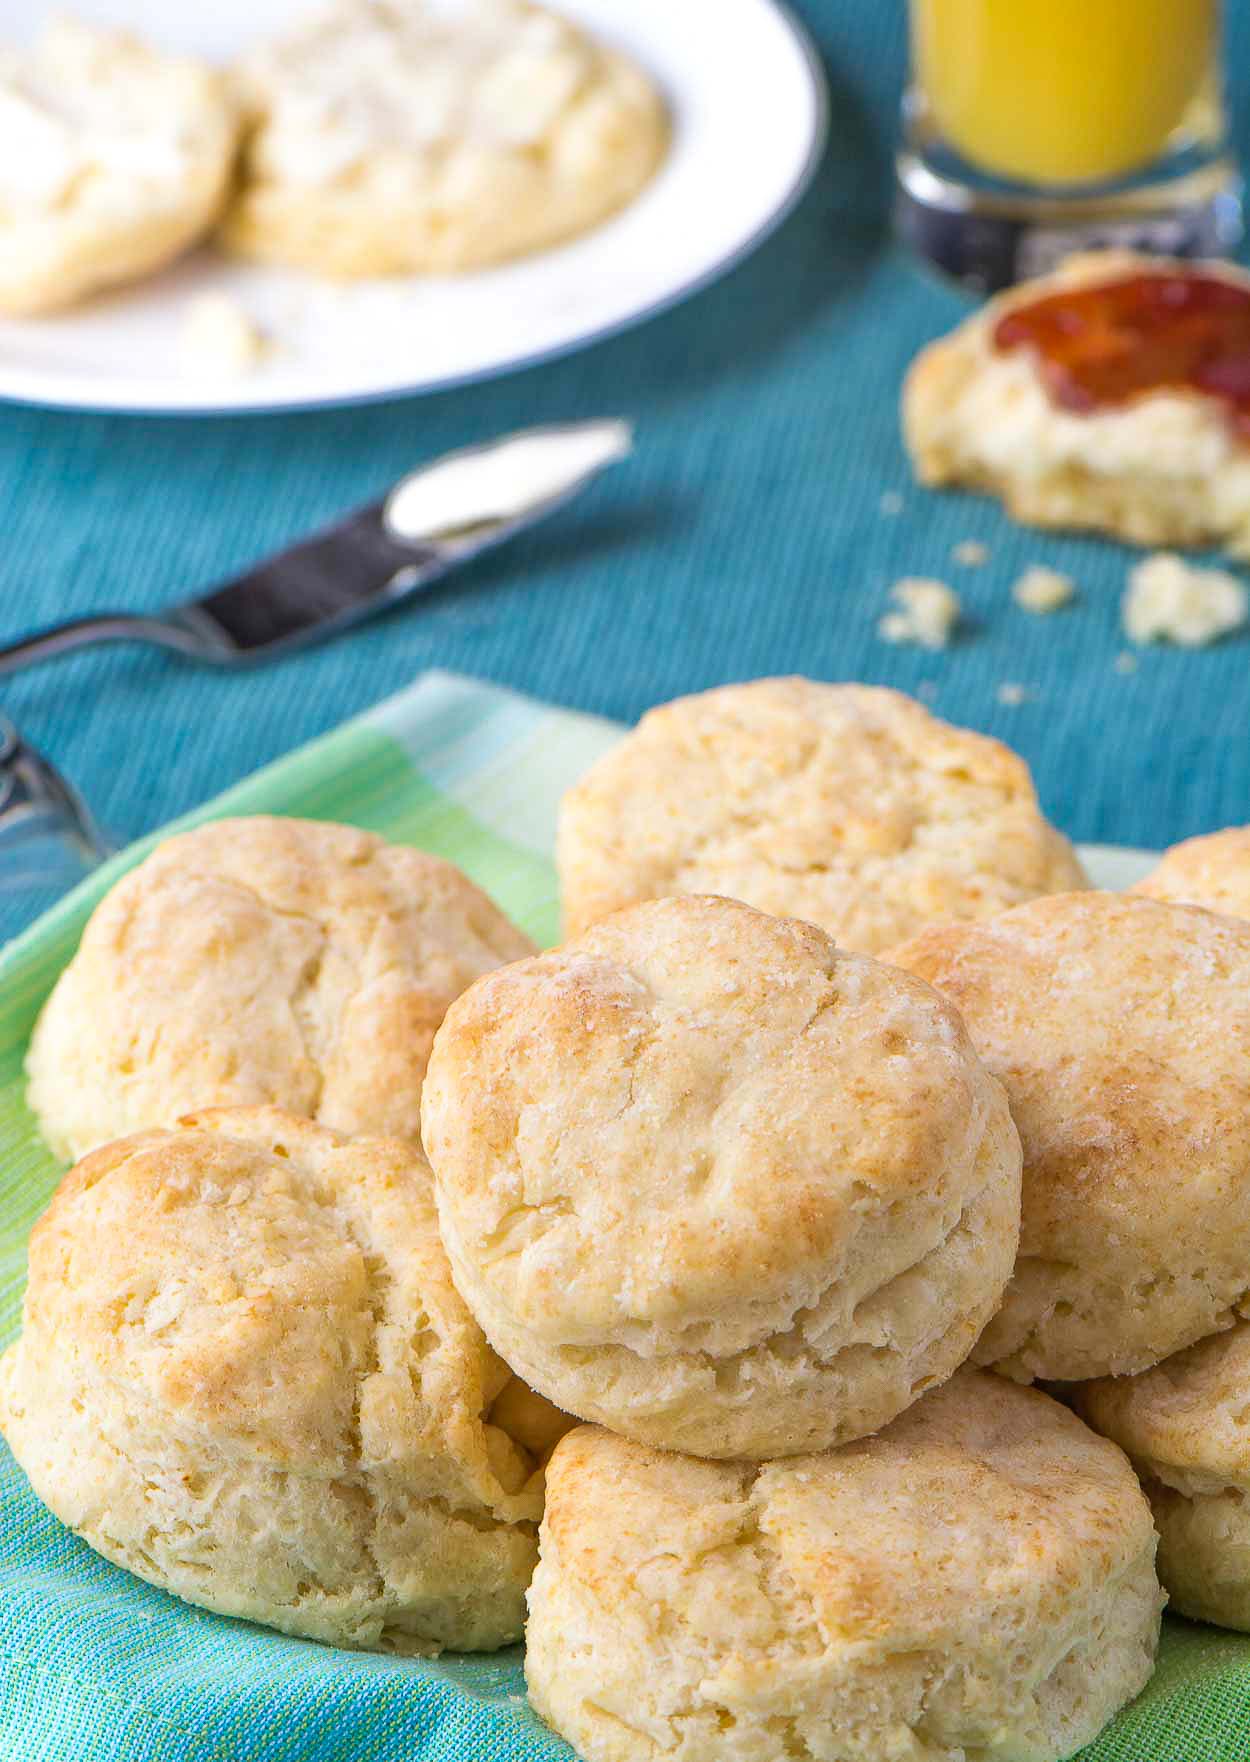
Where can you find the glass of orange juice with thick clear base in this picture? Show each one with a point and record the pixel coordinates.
(1038, 128)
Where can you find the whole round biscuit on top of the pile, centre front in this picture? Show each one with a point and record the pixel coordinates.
(717, 1185)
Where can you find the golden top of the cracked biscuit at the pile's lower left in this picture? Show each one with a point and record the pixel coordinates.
(260, 1285)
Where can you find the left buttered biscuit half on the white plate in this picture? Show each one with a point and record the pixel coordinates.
(114, 159)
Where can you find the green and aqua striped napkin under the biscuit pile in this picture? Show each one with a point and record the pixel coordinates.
(98, 1666)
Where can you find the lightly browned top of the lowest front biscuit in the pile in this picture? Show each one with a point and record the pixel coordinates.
(979, 1497)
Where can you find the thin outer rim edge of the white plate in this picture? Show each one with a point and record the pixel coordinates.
(715, 272)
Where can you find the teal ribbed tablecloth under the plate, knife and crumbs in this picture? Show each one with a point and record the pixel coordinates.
(743, 540)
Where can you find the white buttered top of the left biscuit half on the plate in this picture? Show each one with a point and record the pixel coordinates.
(89, 114)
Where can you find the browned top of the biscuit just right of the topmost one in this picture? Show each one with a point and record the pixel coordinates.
(1122, 1030)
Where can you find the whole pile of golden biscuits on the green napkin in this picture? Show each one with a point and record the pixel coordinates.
(845, 1114)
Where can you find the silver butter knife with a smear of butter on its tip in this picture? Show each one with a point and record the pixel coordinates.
(398, 547)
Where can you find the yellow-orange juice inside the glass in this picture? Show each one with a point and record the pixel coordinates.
(1062, 93)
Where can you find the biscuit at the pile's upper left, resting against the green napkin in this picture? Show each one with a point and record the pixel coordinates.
(260, 961)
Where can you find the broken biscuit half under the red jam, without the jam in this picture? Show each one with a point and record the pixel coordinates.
(1163, 470)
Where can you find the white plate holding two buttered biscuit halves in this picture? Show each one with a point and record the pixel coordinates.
(748, 108)
